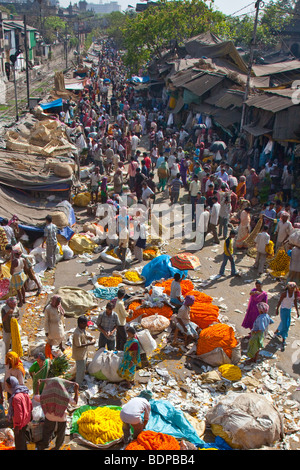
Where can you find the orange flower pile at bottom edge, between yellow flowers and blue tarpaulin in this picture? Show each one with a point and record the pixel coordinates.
(150, 440)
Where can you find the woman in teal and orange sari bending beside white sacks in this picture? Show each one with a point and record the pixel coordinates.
(131, 359)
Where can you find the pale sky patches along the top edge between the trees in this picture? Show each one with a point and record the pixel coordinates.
(226, 6)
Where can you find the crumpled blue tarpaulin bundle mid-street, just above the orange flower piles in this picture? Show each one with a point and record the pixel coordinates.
(160, 267)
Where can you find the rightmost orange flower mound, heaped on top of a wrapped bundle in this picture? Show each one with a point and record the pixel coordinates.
(215, 336)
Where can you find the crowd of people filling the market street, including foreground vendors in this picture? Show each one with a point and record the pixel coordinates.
(128, 140)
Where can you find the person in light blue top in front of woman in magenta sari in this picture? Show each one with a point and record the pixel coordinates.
(259, 331)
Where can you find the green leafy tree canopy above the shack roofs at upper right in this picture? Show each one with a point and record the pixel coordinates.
(147, 34)
